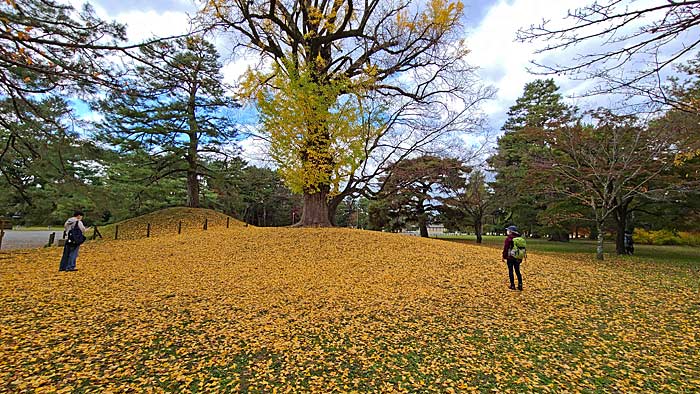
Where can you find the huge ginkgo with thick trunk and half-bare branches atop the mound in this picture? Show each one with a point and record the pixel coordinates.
(347, 87)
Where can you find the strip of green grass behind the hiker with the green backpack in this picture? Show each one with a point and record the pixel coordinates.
(683, 256)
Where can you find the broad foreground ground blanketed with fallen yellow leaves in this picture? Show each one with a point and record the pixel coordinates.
(335, 310)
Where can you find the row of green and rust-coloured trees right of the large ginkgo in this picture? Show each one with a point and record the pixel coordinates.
(558, 172)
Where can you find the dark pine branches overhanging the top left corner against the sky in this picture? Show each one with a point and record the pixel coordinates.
(49, 47)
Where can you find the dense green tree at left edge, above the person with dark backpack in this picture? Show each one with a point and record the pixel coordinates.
(51, 170)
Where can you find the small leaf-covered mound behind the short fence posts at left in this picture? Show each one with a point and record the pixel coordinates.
(165, 222)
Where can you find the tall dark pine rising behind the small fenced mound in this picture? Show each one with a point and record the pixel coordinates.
(174, 107)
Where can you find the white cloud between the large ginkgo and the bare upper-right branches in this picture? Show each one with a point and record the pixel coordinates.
(504, 62)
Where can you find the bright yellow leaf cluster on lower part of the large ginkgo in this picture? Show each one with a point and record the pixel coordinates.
(317, 129)
